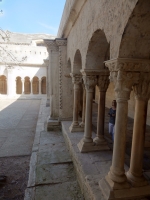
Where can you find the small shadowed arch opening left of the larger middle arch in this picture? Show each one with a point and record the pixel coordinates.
(77, 63)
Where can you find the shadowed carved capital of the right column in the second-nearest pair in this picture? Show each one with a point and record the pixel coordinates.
(103, 82)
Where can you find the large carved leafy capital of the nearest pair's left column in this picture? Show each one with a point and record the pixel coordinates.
(123, 83)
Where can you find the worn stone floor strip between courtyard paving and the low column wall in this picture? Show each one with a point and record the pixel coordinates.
(52, 174)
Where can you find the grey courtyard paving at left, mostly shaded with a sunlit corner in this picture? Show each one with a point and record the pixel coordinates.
(18, 120)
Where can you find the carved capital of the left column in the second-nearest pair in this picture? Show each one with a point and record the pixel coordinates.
(90, 82)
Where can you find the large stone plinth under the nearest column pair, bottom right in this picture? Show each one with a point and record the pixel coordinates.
(124, 192)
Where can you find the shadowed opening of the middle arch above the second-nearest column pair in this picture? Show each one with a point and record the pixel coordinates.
(98, 51)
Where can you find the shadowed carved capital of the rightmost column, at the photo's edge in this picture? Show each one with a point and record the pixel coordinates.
(142, 89)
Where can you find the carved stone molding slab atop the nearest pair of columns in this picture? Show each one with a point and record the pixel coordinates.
(128, 64)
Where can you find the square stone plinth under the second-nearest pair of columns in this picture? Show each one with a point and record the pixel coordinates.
(89, 147)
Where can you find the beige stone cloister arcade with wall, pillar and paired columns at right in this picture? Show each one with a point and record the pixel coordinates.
(103, 53)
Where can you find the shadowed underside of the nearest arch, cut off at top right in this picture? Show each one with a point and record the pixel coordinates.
(135, 41)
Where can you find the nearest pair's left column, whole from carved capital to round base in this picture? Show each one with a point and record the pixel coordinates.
(116, 177)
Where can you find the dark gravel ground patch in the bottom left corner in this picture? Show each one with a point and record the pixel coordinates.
(16, 169)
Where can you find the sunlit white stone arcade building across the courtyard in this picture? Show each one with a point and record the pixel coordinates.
(23, 69)
